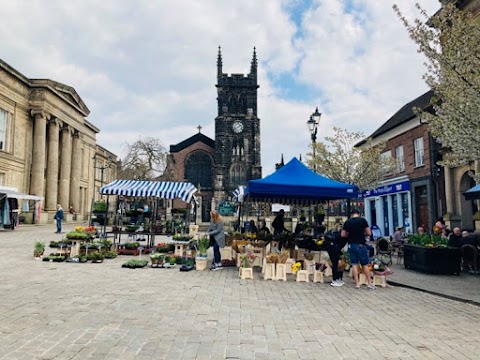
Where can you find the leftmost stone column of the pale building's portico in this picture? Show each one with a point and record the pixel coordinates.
(37, 180)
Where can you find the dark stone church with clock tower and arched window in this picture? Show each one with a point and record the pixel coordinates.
(218, 166)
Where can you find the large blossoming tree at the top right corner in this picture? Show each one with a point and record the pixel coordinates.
(449, 40)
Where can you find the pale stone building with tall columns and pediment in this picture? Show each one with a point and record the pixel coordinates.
(47, 145)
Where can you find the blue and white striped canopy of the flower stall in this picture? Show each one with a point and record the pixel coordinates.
(160, 189)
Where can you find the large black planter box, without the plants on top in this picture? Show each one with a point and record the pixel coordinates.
(433, 260)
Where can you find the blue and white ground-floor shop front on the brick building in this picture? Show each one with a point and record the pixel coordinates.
(389, 206)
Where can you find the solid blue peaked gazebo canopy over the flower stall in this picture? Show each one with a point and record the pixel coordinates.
(295, 181)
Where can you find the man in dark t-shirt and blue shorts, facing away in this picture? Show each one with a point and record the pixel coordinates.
(355, 230)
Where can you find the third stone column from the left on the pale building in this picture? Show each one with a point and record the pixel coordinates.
(65, 167)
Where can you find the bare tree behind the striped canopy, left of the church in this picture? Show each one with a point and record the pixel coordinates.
(146, 159)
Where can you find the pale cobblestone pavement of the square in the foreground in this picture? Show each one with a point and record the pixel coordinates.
(102, 311)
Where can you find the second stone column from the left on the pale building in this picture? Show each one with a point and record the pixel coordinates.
(52, 164)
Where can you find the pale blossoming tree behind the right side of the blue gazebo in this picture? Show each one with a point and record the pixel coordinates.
(339, 159)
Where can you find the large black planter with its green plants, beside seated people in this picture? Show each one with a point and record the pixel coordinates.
(430, 253)
